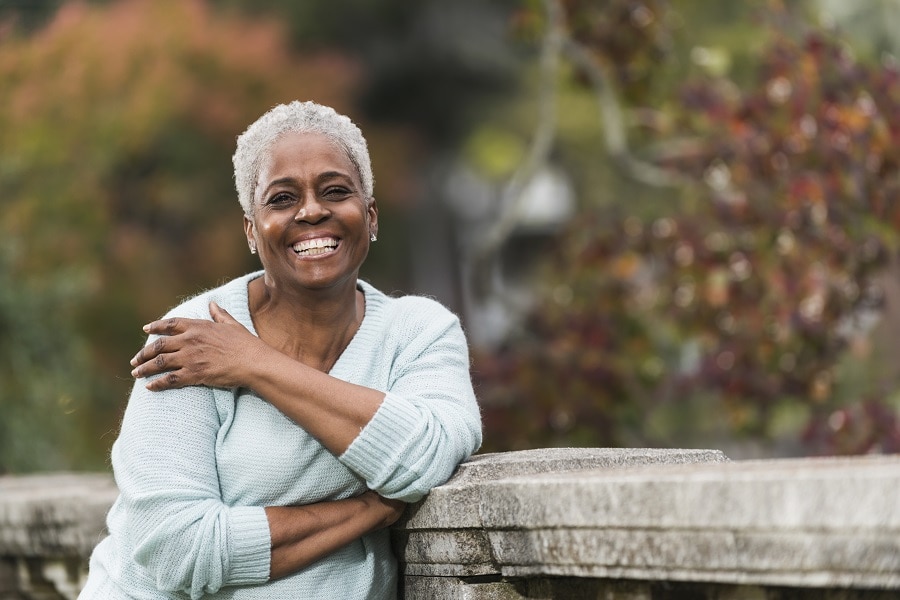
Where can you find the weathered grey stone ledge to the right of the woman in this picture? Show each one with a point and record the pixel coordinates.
(804, 523)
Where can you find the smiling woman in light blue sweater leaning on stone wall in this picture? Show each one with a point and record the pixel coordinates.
(280, 422)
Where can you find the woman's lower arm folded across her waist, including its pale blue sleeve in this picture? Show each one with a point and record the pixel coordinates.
(175, 522)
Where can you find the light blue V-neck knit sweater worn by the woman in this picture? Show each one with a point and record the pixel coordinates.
(195, 466)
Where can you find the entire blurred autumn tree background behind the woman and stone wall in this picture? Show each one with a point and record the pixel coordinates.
(663, 223)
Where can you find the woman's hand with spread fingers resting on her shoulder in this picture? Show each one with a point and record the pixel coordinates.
(197, 352)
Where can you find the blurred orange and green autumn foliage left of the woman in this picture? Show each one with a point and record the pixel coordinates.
(117, 197)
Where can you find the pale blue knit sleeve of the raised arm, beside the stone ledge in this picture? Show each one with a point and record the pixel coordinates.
(429, 421)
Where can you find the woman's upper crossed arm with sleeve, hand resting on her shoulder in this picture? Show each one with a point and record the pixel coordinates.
(403, 442)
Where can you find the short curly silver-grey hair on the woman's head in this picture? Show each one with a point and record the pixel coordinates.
(297, 117)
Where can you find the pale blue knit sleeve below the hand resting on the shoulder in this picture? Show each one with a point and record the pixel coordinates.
(171, 510)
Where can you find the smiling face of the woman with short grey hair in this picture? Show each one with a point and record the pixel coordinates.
(311, 221)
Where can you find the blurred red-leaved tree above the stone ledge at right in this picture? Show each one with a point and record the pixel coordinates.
(727, 309)
